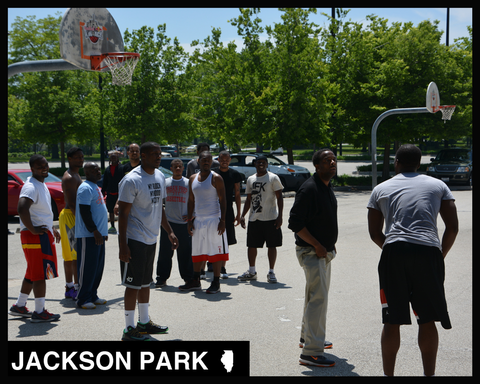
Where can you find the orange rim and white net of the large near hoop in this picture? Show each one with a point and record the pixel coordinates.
(121, 65)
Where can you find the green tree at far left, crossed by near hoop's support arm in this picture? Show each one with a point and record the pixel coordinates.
(54, 102)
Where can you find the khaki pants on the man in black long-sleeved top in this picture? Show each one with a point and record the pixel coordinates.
(317, 282)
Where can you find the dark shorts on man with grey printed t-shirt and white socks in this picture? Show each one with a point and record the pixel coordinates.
(138, 272)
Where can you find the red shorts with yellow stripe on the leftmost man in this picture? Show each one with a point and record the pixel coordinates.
(40, 254)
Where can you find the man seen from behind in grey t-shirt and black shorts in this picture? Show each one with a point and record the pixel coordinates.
(411, 268)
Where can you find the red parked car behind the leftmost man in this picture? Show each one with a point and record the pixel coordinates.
(16, 179)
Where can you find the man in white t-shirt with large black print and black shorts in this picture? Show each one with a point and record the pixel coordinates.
(264, 196)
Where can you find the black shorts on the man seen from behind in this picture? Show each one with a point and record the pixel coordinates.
(412, 273)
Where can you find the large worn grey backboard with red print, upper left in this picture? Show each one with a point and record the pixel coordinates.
(87, 32)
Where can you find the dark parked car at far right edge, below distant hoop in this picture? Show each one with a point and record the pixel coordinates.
(452, 165)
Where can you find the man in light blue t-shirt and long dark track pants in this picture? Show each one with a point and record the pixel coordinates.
(91, 231)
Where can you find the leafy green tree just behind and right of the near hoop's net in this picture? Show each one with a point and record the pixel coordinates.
(156, 105)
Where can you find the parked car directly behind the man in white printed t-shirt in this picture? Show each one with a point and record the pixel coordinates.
(291, 176)
